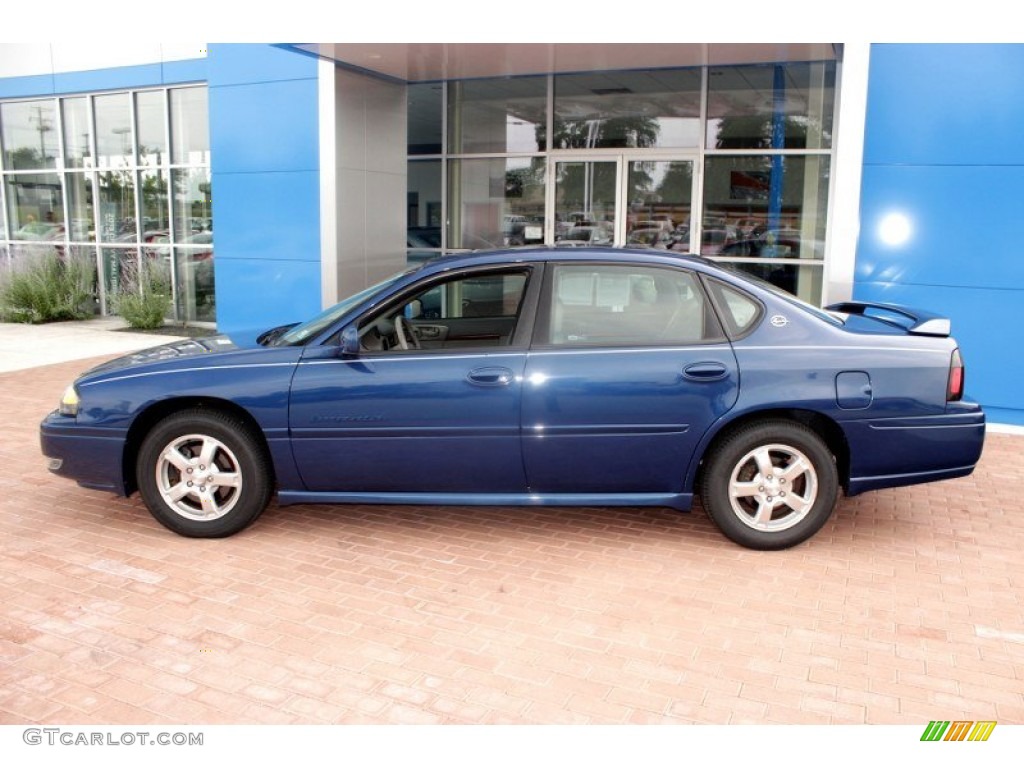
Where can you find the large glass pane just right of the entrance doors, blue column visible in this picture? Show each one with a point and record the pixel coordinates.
(765, 207)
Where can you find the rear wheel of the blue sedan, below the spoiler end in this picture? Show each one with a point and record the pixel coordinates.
(772, 485)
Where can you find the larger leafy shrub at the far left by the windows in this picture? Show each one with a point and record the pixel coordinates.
(48, 287)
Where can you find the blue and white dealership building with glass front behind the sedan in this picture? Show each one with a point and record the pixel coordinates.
(272, 181)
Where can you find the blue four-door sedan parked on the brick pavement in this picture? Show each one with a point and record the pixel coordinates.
(582, 376)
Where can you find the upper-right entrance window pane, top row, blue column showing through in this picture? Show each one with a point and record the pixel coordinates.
(783, 106)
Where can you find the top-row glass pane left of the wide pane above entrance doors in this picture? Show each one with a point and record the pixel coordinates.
(503, 115)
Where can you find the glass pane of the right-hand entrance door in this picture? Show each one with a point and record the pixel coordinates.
(659, 202)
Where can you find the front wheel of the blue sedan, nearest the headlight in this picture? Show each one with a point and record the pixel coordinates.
(204, 474)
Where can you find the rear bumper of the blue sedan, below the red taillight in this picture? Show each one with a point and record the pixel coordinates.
(891, 453)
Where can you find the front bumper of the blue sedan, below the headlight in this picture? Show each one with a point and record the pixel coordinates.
(92, 458)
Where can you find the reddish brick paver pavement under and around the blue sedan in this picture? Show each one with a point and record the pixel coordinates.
(909, 607)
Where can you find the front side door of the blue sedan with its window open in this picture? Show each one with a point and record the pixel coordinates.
(442, 418)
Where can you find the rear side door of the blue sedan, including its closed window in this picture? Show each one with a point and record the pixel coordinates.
(628, 370)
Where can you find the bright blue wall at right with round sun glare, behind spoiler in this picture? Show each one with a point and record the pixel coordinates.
(945, 148)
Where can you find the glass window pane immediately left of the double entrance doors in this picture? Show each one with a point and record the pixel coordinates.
(496, 202)
